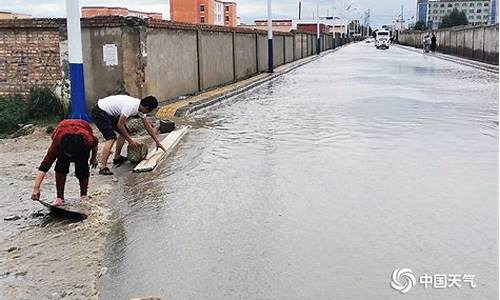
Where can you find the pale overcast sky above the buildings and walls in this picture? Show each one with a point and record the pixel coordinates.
(382, 11)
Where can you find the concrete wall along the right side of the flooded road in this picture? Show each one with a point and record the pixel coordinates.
(479, 43)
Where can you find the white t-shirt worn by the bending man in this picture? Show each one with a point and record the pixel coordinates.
(121, 105)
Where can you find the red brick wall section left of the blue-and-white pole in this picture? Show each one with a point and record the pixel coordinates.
(29, 57)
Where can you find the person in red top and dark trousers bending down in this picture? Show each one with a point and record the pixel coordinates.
(72, 141)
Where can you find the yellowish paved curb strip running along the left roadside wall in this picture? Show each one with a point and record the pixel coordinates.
(185, 107)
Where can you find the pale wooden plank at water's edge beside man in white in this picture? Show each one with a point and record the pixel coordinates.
(155, 156)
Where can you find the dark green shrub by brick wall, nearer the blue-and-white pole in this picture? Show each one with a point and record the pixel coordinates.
(43, 103)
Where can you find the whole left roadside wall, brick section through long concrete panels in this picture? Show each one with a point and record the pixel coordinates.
(157, 58)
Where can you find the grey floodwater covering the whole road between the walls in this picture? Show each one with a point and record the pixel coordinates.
(320, 184)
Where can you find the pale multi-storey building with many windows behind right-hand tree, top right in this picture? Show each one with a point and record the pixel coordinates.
(477, 11)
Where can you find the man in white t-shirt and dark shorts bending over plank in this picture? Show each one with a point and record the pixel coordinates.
(110, 115)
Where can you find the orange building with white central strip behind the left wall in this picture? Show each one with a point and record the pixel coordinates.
(211, 12)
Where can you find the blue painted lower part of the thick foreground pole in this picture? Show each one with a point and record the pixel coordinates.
(78, 107)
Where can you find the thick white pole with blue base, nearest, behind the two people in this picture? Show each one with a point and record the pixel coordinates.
(78, 108)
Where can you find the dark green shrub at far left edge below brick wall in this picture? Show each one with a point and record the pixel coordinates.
(12, 113)
